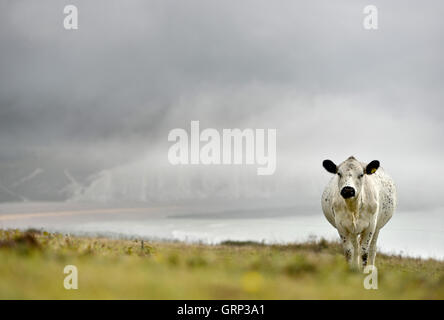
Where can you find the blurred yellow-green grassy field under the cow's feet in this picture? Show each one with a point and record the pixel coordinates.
(32, 264)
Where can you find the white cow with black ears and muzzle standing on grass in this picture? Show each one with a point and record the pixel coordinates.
(358, 201)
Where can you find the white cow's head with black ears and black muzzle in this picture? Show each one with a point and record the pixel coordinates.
(351, 174)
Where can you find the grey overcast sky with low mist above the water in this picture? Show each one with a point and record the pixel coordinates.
(91, 109)
